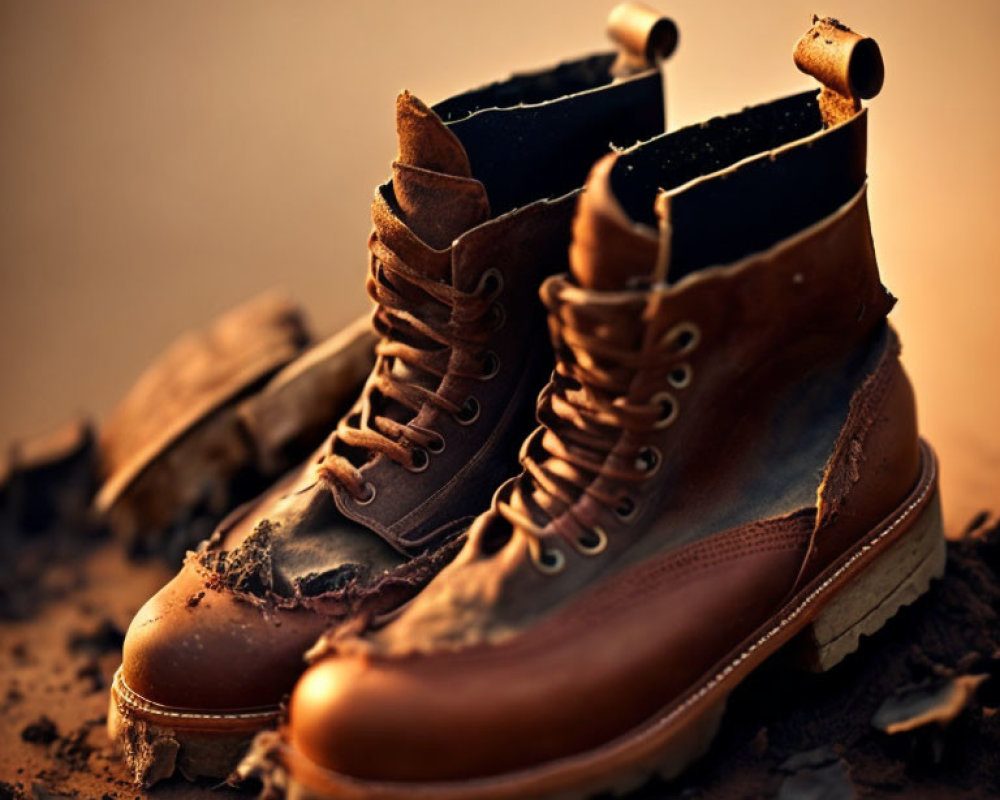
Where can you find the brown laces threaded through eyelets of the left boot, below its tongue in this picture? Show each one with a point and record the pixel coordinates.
(443, 336)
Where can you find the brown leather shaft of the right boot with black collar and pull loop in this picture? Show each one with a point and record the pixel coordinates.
(746, 339)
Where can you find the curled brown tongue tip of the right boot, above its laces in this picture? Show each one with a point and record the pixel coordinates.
(609, 251)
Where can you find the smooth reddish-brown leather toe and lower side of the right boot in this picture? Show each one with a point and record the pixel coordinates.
(568, 684)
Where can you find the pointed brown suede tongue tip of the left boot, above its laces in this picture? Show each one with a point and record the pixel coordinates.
(437, 197)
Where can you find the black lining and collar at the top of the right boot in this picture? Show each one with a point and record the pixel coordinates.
(755, 206)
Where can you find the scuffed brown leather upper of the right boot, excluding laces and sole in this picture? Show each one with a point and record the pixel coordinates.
(511, 667)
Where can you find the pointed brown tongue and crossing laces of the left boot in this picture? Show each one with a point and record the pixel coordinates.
(432, 200)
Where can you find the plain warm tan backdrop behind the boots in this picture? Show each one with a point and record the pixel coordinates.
(161, 161)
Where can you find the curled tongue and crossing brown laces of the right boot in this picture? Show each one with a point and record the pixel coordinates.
(598, 336)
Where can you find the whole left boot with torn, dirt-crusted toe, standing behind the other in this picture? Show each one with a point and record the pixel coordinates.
(477, 214)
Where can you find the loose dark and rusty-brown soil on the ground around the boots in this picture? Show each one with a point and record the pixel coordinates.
(67, 599)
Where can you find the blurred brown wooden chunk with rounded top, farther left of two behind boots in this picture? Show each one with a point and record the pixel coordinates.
(174, 443)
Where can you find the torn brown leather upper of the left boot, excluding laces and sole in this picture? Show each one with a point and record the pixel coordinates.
(305, 555)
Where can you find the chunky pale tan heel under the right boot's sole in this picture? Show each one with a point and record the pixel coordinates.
(898, 577)
